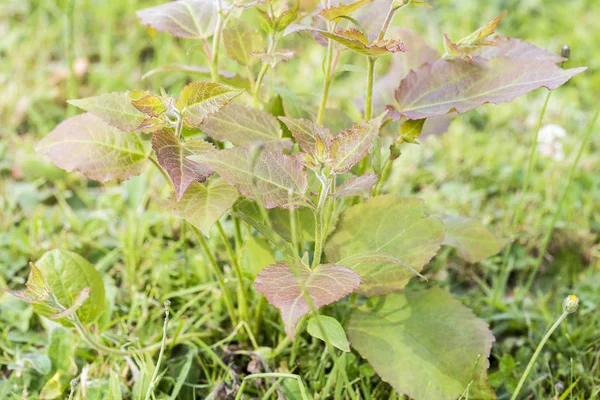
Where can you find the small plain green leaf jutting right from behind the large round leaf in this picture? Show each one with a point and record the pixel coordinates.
(473, 240)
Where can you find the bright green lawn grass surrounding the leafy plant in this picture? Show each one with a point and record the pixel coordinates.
(147, 255)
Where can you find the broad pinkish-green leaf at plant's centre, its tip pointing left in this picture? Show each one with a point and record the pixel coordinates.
(270, 175)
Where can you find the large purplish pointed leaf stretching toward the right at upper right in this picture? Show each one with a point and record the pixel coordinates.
(456, 85)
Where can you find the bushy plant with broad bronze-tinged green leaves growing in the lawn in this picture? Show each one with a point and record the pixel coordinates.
(425, 344)
